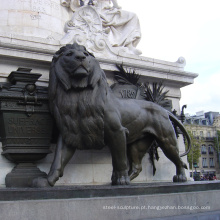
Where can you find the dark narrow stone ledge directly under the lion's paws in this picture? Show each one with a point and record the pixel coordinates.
(72, 192)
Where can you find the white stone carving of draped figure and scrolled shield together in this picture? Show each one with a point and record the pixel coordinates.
(102, 27)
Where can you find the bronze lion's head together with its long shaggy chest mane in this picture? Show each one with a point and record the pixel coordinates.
(77, 97)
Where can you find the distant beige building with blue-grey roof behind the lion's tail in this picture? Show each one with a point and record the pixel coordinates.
(204, 128)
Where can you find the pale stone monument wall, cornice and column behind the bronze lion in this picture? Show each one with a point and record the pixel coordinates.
(29, 36)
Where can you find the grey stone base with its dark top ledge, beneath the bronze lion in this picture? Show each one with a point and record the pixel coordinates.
(142, 201)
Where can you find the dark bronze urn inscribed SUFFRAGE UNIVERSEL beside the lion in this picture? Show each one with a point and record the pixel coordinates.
(25, 126)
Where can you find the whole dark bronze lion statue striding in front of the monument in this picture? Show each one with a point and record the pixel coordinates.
(89, 116)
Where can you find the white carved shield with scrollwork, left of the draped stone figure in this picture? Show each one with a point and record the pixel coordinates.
(85, 28)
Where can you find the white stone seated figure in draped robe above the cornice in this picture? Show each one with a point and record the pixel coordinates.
(122, 27)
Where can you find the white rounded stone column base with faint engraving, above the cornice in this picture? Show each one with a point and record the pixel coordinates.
(33, 18)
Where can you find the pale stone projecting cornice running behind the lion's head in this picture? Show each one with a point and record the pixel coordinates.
(171, 72)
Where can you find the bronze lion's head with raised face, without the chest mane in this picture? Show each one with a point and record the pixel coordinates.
(75, 67)
